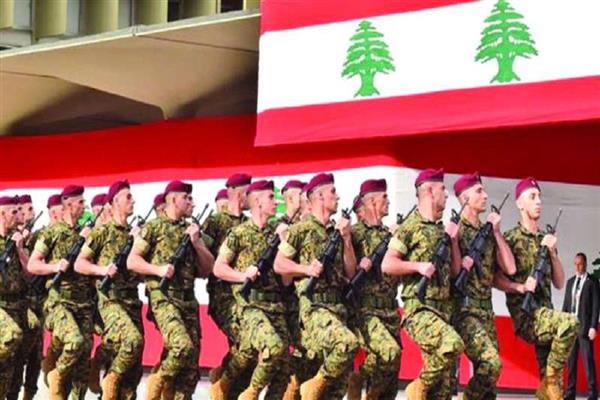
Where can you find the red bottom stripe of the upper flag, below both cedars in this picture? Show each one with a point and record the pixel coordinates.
(449, 111)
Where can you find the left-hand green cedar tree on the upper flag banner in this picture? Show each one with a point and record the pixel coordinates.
(367, 55)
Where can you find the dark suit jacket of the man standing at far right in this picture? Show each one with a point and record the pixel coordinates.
(589, 303)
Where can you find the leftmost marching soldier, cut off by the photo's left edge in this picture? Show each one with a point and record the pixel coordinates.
(13, 288)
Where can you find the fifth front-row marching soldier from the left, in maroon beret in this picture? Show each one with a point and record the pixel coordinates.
(264, 332)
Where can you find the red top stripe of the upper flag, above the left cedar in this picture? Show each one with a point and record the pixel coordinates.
(290, 14)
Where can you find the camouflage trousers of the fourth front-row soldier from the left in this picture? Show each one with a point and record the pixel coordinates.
(179, 324)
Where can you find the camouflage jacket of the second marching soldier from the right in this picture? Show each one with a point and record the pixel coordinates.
(475, 288)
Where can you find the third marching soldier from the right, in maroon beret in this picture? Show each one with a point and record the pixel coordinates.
(409, 255)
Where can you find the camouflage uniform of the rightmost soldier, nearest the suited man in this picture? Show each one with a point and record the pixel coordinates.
(552, 332)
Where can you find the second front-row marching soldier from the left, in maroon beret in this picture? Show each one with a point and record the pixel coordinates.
(69, 307)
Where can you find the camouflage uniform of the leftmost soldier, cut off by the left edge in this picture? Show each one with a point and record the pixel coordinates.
(13, 316)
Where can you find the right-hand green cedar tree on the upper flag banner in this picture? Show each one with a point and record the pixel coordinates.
(504, 39)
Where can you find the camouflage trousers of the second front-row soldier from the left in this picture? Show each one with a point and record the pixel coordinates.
(72, 327)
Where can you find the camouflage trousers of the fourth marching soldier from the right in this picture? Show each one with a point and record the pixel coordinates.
(379, 334)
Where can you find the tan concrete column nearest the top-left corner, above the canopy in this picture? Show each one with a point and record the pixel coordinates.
(50, 18)
